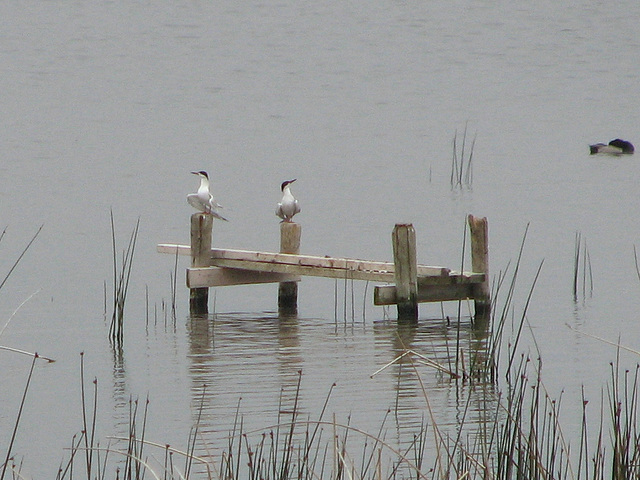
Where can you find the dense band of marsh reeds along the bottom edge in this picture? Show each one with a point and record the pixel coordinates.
(520, 438)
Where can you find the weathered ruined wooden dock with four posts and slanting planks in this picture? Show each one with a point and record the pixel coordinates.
(408, 283)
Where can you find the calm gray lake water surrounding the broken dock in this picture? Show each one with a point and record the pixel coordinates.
(110, 105)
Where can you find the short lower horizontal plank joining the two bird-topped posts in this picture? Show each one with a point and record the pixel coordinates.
(222, 277)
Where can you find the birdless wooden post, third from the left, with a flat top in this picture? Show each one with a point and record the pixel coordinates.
(406, 271)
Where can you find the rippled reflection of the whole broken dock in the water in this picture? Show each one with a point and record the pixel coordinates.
(261, 371)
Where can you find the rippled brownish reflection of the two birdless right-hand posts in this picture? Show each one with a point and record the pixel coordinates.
(428, 392)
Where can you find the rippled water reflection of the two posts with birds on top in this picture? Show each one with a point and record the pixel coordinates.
(223, 380)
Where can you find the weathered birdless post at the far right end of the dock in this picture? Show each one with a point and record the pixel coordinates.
(479, 229)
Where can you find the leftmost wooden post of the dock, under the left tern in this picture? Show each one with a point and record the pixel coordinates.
(201, 232)
